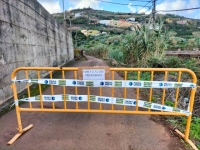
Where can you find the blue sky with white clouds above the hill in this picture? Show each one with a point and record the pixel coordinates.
(54, 6)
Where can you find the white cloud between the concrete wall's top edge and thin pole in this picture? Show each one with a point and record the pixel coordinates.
(52, 6)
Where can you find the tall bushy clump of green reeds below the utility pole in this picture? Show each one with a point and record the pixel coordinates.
(140, 45)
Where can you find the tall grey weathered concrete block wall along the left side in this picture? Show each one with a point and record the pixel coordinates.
(29, 36)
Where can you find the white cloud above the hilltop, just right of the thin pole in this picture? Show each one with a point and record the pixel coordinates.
(84, 4)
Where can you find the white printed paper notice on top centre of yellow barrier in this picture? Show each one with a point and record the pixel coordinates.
(97, 74)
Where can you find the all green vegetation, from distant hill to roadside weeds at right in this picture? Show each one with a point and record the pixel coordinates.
(143, 47)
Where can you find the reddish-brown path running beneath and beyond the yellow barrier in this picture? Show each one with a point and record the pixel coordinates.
(85, 131)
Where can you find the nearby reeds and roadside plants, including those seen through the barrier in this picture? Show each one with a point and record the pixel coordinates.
(137, 49)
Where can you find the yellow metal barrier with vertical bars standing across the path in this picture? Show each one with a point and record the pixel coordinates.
(126, 71)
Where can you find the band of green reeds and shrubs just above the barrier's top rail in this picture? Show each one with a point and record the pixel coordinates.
(134, 49)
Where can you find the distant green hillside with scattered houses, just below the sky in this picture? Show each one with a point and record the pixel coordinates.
(171, 22)
